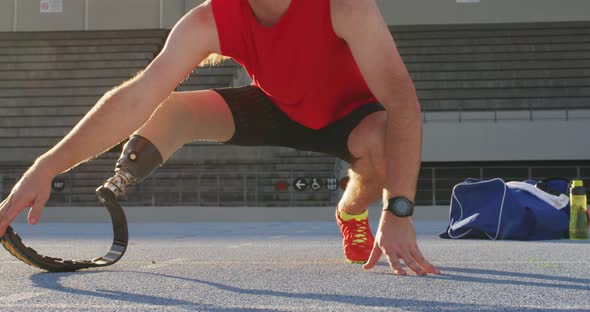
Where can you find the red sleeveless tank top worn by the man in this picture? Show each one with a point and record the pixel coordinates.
(300, 63)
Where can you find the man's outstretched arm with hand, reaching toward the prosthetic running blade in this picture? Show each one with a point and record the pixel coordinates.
(118, 113)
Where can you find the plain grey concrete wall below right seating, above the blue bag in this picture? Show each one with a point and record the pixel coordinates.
(513, 137)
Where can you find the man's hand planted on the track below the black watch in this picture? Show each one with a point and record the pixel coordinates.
(396, 238)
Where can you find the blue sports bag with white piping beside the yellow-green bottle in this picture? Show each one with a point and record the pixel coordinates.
(494, 209)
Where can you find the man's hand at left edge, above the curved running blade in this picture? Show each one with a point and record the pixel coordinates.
(32, 190)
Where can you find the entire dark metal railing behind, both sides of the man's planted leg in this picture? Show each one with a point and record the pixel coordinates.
(190, 187)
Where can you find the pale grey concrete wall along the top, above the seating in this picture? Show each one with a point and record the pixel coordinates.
(134, 14)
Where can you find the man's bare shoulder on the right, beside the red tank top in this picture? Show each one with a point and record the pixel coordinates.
(348, 15)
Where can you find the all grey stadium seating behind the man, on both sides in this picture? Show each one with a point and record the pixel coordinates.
(49, 80)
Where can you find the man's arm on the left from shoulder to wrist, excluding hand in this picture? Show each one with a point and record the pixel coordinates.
(124, 109)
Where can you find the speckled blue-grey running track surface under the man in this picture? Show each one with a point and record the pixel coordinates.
(288, 267)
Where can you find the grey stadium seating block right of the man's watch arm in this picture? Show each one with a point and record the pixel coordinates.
(498, 66)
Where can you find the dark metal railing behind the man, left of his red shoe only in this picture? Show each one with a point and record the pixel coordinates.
(189, 187)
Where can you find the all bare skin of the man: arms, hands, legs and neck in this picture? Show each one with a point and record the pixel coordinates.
(387, 144)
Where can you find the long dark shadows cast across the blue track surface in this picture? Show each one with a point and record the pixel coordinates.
(52, 282)
